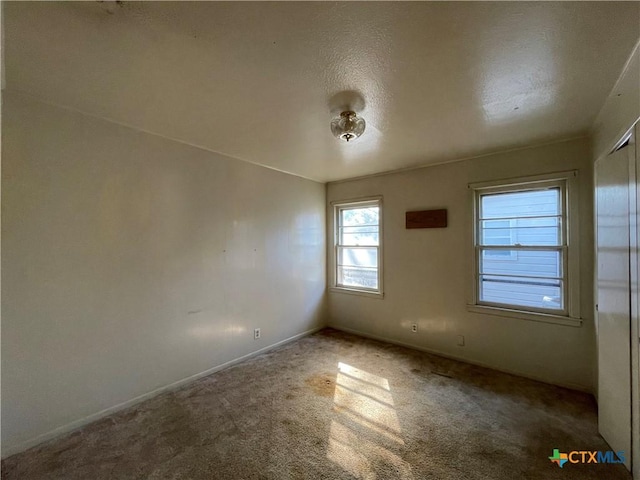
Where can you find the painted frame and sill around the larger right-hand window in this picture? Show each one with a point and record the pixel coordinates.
(568, 184)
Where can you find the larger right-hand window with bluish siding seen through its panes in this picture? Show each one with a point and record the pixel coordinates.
(524, 259)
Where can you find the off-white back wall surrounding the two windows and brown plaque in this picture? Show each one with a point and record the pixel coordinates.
(428, 272)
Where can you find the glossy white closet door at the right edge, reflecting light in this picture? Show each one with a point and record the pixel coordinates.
(613, 297)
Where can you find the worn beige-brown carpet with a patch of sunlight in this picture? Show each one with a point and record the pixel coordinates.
(335, 406)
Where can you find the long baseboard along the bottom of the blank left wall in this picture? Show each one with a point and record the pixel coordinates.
(77, 424)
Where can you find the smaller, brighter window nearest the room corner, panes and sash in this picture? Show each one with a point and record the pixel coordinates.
(357, 254)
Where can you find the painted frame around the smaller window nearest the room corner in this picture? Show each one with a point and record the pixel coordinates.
(336, 207)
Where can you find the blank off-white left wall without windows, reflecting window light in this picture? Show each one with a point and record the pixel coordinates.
(130, 262)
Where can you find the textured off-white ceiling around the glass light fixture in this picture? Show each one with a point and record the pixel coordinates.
(260, 81)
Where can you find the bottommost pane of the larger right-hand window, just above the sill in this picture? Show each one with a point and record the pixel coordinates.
(526, 292)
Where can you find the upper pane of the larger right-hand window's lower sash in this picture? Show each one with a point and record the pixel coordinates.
(528, 263)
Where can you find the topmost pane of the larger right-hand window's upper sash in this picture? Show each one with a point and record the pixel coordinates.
(521, 204)
